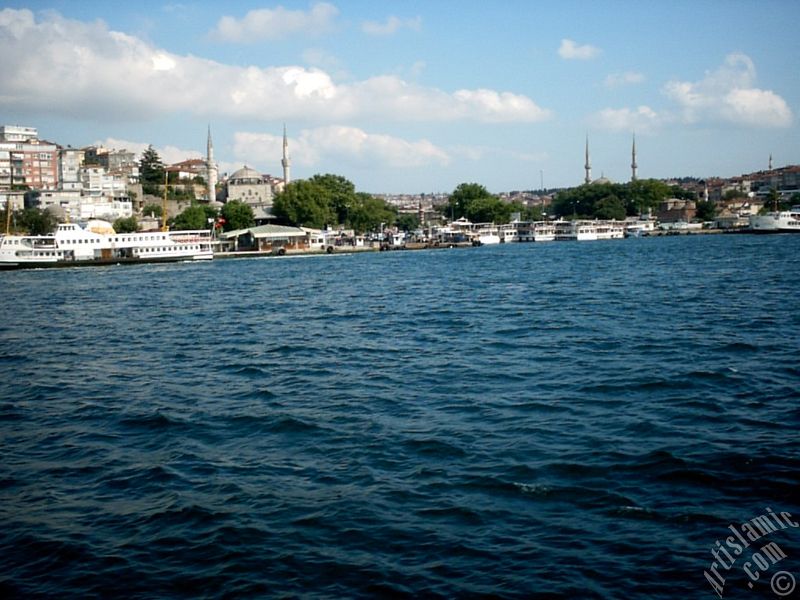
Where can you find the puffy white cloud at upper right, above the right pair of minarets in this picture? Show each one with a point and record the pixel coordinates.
(729, 94)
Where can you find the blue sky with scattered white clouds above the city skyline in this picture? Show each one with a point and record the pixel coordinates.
(416, 96)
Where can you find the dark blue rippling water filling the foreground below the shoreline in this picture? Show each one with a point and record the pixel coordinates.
(570, 420)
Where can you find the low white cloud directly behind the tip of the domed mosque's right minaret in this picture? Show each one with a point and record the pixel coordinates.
(341, 144)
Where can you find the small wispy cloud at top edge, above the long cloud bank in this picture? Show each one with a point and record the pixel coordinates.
(276, 23)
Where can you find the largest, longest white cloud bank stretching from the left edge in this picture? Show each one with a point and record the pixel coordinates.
(76, 69)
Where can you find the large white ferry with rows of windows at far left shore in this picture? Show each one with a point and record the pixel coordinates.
(98, 244)
